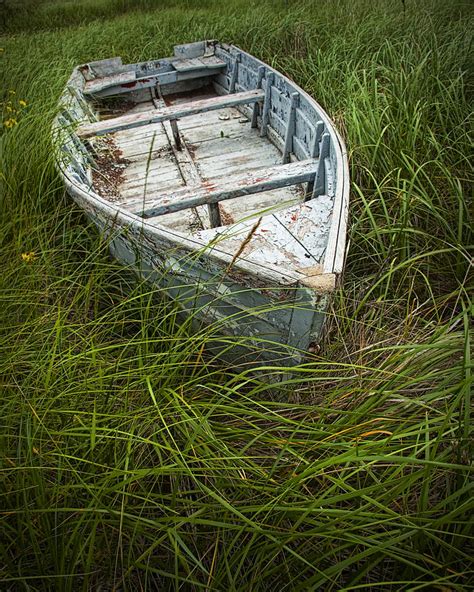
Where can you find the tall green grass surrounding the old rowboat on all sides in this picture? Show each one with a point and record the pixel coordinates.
(127, 463)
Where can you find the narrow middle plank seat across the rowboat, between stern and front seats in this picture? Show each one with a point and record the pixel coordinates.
(115, 124)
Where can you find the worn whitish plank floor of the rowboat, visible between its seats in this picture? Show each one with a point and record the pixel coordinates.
(192, 152)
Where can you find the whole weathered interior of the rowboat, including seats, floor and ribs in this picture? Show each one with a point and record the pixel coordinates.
(208, 145)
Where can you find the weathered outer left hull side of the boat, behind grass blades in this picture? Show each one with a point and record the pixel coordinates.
(232, 303)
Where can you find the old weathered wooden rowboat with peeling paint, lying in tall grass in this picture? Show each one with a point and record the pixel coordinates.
(218, 179)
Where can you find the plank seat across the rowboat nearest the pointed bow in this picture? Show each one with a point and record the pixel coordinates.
(217, 190)
